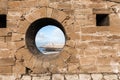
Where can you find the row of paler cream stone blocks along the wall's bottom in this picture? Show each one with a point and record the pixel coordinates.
(48, 76)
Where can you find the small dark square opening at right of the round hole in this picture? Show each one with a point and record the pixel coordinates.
(102, 20)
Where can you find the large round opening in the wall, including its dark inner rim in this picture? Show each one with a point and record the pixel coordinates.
(45, 36)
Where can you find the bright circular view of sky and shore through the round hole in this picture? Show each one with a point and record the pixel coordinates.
(50, 40)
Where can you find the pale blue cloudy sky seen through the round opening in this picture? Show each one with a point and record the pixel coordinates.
(49, 34)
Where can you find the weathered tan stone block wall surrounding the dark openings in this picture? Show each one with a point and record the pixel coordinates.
(89, 48)
